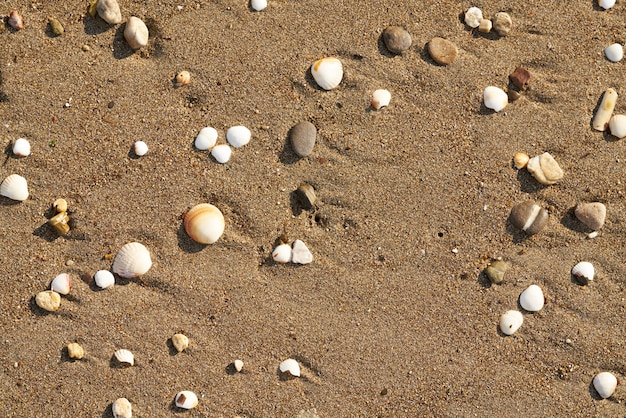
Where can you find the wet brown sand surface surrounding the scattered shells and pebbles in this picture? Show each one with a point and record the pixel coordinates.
(387, 321)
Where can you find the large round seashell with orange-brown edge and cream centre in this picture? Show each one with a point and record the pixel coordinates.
(204, 223)
